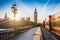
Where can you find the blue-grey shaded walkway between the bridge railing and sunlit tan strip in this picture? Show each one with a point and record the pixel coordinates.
(28, 35)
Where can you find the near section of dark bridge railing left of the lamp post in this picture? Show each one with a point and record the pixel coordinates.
(6, 34)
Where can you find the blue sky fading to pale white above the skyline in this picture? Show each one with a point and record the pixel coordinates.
(26, 8)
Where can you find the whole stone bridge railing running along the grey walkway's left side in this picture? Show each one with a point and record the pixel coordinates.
(11, 32)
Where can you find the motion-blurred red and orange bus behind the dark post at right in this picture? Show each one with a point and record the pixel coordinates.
(55, 23)
